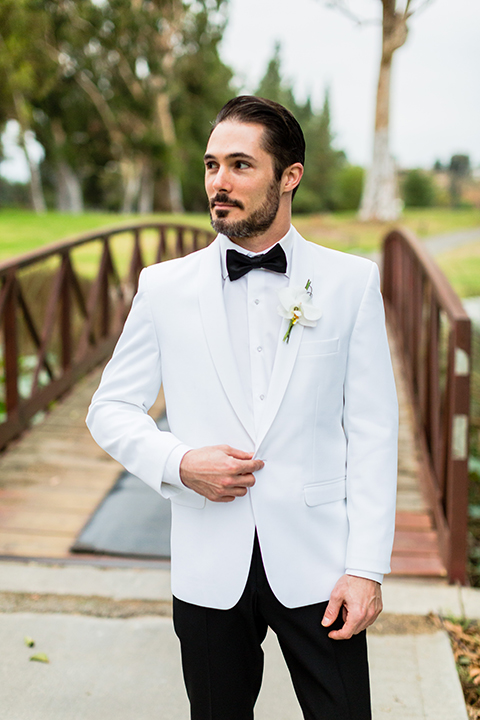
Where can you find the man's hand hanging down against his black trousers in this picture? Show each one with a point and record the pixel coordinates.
(360, 601)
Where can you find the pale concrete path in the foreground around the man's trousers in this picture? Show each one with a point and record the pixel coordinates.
(121, 668)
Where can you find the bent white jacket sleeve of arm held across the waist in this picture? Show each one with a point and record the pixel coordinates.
(117, 417)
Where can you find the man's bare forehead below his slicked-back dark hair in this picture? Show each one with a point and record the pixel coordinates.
(231, 137)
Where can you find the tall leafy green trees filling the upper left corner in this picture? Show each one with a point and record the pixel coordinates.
(111, 92)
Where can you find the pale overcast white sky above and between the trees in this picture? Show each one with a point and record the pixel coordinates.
(435, 103)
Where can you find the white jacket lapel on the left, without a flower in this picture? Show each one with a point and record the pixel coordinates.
(214, 318)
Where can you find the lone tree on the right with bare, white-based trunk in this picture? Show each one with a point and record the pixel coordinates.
(380, 195)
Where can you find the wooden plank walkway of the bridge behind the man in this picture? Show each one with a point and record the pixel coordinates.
(54, 477)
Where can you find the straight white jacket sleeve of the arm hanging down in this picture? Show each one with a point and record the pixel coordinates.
(371, 428)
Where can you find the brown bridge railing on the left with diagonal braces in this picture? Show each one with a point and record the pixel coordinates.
(62, 309)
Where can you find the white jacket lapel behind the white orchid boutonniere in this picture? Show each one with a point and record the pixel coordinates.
(286, 354)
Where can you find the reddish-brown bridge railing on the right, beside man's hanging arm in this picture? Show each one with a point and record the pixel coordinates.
(434, 332)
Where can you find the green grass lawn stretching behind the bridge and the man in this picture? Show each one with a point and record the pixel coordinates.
(22, 231)
